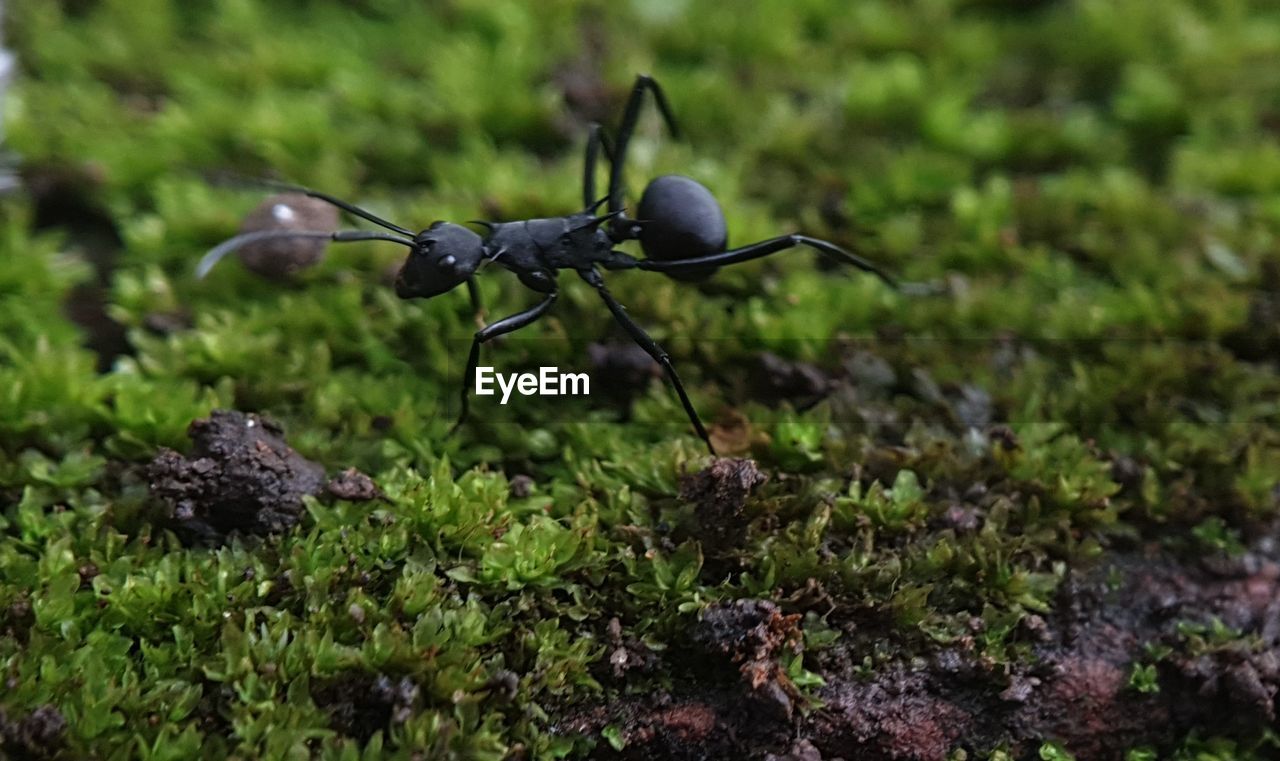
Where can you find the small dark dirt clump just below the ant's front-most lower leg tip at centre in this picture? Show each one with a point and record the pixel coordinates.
(720, 493)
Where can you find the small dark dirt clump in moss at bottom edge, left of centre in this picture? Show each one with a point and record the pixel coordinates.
(360, 704)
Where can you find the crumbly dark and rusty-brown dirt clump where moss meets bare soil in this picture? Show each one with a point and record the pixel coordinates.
(755, 634)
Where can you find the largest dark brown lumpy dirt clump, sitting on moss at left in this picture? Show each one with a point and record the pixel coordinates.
(241, 478)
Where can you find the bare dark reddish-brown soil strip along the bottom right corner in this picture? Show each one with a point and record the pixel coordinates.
(1212, 630)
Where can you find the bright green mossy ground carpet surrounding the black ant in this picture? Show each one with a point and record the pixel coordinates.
(1096, 184)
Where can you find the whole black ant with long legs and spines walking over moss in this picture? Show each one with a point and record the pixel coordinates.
(680, 228)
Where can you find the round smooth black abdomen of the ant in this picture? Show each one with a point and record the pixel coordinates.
(680, 219)
